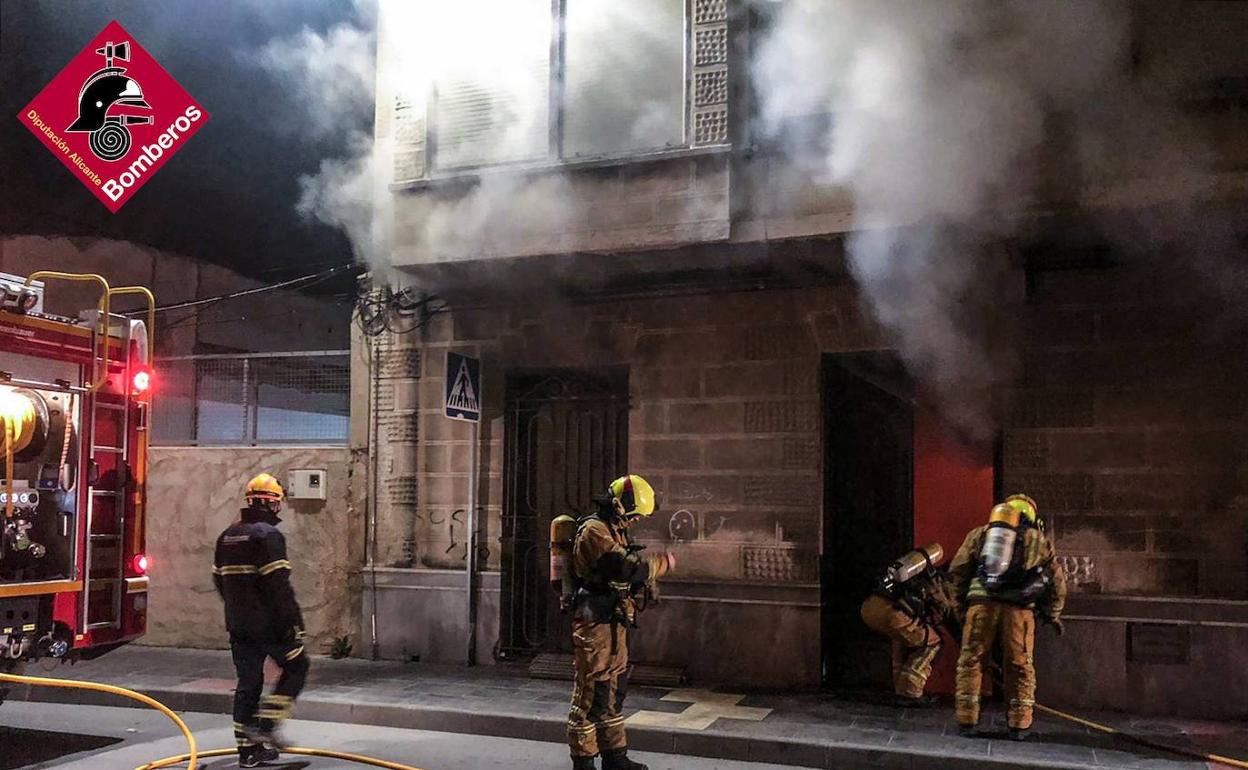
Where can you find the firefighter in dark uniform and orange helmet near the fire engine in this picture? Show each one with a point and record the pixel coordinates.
(253, 575)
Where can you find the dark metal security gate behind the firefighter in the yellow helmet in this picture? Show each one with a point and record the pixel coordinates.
(567, 439)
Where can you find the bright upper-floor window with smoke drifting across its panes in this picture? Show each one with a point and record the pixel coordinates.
(539, 80)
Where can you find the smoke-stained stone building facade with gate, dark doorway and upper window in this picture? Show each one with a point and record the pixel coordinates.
(652, 286)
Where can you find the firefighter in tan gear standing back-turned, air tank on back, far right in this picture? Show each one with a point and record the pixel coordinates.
(1007, 575)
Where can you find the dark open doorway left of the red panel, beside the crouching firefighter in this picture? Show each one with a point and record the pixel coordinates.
(869, 426)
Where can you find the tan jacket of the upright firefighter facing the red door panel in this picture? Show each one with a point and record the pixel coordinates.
(1034, 553)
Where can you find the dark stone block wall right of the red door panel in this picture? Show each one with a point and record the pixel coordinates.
(1130, 430)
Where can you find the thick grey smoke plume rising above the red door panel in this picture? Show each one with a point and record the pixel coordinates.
(952, 123)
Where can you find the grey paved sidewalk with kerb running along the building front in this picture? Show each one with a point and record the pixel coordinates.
(808, 731)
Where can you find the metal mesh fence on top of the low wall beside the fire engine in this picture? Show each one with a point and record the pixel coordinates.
(253, 400)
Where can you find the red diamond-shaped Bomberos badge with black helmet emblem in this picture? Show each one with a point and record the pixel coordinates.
(114, 117)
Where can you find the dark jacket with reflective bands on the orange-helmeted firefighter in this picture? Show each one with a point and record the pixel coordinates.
(251, 572)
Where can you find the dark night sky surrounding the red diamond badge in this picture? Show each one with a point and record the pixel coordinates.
(229, 195)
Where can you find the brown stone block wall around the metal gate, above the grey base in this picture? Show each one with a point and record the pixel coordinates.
(724, 421)
